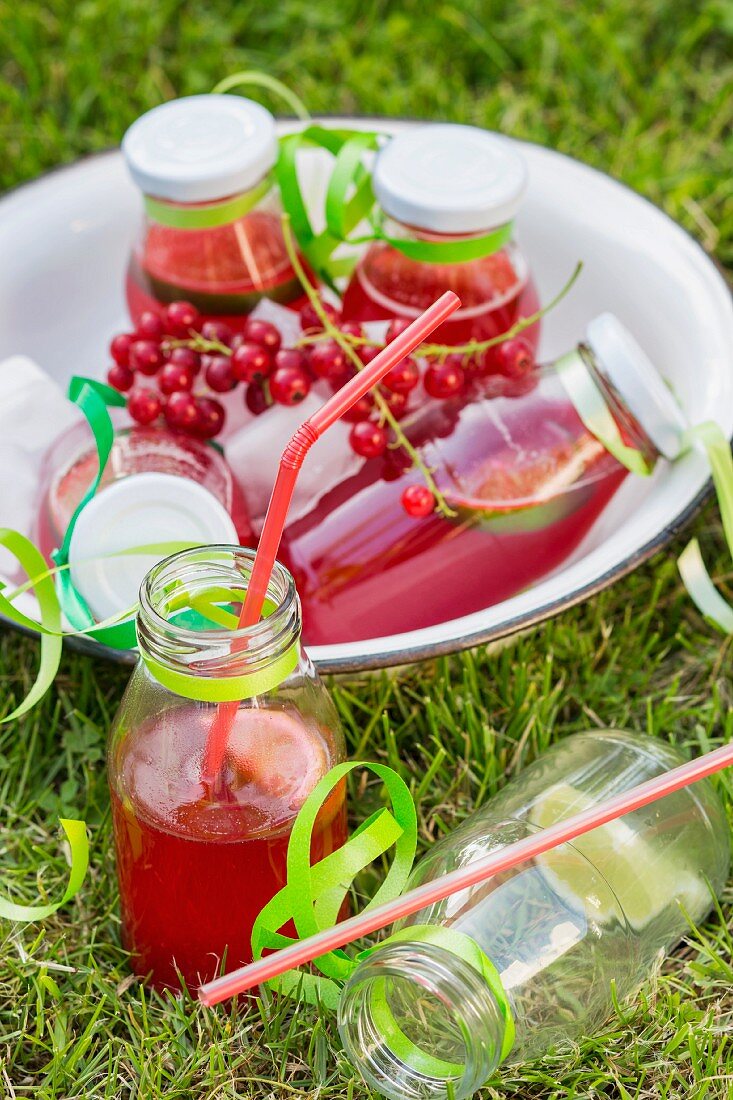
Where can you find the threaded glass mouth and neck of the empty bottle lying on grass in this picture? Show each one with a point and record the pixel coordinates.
(415, 1017)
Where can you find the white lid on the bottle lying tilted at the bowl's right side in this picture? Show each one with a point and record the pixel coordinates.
(639, 383)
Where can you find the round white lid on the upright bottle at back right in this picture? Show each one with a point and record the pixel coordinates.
(450, 179)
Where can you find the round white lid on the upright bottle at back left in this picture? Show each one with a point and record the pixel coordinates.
(201, 148)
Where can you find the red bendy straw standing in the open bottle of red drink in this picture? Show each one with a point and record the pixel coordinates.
(290, 467)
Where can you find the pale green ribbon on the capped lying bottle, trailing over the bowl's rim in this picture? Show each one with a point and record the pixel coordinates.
(708, 437)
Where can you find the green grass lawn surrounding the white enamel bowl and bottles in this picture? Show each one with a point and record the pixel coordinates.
(641, 89)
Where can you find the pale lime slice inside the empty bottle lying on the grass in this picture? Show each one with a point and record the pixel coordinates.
(646, 881)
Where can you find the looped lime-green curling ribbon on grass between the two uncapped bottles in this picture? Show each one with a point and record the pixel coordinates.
(314, 895)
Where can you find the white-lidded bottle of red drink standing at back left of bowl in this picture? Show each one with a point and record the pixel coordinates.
(212, 233)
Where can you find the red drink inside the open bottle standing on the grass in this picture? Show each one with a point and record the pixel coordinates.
(195, 873)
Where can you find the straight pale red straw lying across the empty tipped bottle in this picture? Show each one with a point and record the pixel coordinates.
(412, 903)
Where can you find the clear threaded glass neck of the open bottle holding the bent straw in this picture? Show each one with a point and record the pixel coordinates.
(190, 609)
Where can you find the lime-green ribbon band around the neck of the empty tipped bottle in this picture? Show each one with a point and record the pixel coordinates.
(454, 944)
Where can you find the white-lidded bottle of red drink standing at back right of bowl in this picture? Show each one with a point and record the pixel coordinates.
(447, 197)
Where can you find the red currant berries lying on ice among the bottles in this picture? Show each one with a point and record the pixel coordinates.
(169, 349)
